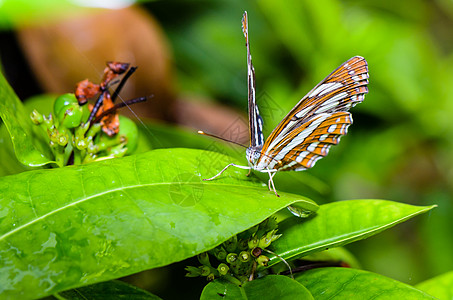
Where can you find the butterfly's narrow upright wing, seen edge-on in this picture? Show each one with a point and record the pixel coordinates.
(255, 120)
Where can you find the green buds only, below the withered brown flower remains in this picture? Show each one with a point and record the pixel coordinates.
(71, 137)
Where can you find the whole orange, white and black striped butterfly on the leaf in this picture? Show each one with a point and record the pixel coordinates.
(307, 132)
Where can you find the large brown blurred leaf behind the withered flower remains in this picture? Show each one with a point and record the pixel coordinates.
(64, 53)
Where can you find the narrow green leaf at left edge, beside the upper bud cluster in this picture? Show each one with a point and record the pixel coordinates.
(29, 145)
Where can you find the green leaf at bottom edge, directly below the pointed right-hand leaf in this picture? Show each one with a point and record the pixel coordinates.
(345, 283)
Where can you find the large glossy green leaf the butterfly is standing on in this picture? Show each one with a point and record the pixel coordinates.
(112, 218)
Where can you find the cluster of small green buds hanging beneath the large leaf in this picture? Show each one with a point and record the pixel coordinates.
(239, 257)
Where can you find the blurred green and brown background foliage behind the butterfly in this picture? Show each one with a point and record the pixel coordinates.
(191, 56)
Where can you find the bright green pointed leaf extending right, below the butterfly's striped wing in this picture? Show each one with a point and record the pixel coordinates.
(340, 223)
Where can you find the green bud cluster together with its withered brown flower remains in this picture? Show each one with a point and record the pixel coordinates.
(80, 132)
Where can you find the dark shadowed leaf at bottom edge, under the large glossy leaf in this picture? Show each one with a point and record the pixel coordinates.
(113, 289)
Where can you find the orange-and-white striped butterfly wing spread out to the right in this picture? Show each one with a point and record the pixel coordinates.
(317, 121)
